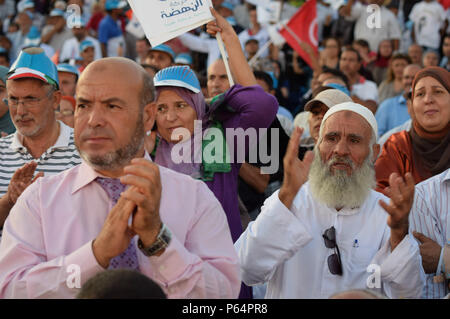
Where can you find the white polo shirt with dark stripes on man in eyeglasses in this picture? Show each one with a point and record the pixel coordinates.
(59, 157)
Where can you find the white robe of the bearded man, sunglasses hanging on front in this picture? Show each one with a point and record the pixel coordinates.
(286, 249)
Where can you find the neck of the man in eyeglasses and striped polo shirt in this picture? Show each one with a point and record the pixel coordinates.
(37, 145)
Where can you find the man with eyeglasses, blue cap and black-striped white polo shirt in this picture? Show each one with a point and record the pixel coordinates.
(41, 143)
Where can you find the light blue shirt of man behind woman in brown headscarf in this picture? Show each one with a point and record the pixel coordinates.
(391, 113)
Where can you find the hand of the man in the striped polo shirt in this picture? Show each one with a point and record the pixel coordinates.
(21, 179)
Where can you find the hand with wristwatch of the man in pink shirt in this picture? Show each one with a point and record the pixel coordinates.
(145, 192)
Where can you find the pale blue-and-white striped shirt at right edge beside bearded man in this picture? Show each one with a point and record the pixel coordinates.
(430, 216)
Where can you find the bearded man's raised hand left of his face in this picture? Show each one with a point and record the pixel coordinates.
(295, 171)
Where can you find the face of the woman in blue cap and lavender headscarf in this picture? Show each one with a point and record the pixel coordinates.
(173, 112)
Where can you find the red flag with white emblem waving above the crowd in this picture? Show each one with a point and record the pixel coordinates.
(302, 27)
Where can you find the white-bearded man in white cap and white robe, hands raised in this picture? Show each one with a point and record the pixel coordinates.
(327, 230)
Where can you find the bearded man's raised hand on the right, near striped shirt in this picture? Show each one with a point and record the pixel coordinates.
(401, 194)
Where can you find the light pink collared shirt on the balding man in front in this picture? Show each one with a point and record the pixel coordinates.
(47, 239)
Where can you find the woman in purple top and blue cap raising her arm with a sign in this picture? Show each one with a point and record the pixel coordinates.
(180, 102)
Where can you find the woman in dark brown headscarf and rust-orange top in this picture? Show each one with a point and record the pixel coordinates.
(424, 151)
